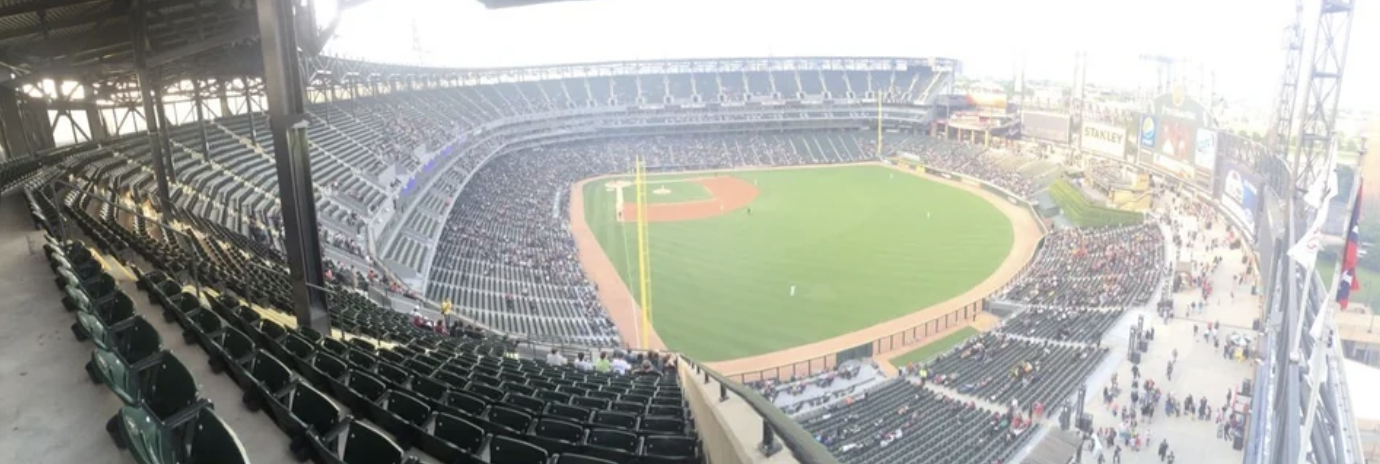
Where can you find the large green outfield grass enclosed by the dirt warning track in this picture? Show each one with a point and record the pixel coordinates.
(855, 242)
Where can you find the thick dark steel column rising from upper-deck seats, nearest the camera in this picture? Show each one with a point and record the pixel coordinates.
(288, 108)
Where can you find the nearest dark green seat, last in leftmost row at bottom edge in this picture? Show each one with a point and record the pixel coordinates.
(201, 438)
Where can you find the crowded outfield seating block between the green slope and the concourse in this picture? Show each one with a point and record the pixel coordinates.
(1095, 267)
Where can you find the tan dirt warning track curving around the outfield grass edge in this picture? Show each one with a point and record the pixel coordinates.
(917, 333)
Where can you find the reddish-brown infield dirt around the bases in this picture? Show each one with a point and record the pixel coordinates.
(728, 194)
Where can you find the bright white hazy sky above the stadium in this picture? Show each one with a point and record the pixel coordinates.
(1240, 41)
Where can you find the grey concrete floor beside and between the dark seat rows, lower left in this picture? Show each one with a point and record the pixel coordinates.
(50, 412)
